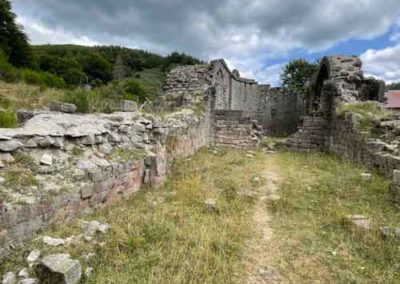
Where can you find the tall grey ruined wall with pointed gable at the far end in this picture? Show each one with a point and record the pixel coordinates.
(276, 111)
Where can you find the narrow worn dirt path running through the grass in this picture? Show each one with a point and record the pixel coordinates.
(259, 256)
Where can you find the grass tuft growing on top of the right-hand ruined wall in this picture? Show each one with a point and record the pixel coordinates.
(368, 111)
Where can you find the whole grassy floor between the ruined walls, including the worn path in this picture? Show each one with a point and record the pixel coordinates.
(278, 218)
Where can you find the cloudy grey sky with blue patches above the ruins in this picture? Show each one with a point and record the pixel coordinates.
(257, 37)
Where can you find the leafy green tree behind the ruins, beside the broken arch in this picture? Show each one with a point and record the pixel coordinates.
(296, 75)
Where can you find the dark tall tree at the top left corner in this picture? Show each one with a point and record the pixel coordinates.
(13, 41)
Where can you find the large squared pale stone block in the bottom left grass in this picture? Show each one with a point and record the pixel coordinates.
(59, 268)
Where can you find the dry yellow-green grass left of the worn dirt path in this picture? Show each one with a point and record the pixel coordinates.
(168, 235)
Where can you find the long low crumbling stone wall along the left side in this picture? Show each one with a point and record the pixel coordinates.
(118, 153)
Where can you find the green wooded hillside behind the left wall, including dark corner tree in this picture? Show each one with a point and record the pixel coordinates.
(83, 72)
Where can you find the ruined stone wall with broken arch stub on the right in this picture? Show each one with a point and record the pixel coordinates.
(323, 130)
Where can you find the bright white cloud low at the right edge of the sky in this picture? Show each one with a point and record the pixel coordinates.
(383, 63)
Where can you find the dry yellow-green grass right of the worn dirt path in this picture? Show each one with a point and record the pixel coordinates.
(312, 243)
